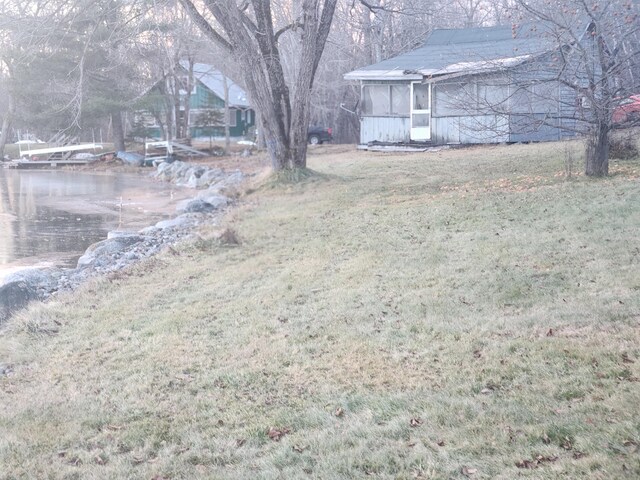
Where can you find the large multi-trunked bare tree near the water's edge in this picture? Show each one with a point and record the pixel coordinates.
(248, 32)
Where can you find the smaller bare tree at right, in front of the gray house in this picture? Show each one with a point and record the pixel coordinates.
(597, 59)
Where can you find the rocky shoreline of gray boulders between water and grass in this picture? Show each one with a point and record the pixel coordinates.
(121, 249)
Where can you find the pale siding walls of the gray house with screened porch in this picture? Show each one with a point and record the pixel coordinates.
(524, 104)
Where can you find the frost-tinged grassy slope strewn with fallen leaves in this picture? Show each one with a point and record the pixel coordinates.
(402, 316)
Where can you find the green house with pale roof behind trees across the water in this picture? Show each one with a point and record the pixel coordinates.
(157, 110)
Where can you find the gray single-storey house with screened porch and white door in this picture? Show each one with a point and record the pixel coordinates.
(473, 85)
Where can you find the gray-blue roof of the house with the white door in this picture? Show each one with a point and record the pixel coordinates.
(459, 50)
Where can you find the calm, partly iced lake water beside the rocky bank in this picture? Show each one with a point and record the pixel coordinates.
(49, 218)
